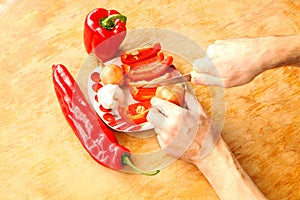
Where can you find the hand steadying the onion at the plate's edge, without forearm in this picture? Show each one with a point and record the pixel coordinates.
(180, 131)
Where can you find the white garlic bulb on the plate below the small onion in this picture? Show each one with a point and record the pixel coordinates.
(111, 96)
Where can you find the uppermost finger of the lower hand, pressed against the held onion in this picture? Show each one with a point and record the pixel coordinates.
(165, 107)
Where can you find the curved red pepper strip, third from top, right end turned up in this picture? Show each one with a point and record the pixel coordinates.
(148, 72)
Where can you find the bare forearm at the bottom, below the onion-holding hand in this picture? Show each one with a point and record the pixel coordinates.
(226, 176)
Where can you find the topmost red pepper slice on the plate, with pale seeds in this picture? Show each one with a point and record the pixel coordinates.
(140, 54)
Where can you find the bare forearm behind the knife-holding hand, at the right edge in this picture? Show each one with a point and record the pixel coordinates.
(282, 51)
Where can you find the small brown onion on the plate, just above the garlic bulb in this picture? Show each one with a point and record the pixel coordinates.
(111, 74)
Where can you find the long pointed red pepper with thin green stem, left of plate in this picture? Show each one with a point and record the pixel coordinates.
(97, 139)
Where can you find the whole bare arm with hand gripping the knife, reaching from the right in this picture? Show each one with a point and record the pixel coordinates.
(235, 62)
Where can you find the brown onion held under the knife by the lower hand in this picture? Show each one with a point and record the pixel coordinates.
(172, 93)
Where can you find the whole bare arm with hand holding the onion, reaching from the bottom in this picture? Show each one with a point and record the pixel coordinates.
(181, 133)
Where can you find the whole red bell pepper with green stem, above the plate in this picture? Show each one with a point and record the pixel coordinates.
(104, 31)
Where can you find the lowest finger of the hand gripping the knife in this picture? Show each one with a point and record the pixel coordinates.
(206, 79)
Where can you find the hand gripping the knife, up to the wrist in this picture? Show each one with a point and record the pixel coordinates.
(233, 62)
